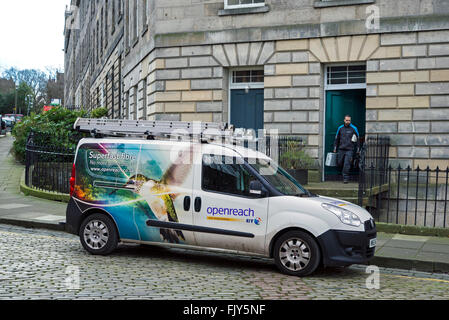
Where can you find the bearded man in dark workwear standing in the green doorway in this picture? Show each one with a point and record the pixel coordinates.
(346, 140)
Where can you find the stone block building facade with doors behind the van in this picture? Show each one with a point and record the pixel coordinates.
(301, 63)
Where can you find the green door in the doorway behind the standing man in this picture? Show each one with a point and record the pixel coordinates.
(338, 104)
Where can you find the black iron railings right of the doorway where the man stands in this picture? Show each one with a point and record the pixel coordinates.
(402, 195)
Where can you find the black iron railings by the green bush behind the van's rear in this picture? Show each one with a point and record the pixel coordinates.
(48, 167)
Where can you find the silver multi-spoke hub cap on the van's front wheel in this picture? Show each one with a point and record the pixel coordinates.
(294, 254)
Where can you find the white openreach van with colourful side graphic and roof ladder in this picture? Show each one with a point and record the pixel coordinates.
(144, 182)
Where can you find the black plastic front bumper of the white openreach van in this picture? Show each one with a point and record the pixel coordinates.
(343, 248)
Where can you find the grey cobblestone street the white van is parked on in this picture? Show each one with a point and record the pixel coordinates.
(40, 264)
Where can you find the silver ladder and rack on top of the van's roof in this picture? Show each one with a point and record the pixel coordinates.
(160, 129)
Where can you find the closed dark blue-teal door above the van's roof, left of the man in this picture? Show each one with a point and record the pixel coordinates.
(247, 108)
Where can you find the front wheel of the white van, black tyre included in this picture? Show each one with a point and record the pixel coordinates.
(296, 253)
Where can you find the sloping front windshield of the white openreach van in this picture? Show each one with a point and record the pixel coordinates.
(278, 178)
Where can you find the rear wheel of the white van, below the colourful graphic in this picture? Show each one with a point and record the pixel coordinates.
(98, 234)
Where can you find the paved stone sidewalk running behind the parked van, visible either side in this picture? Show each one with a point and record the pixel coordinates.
(420, 253)
